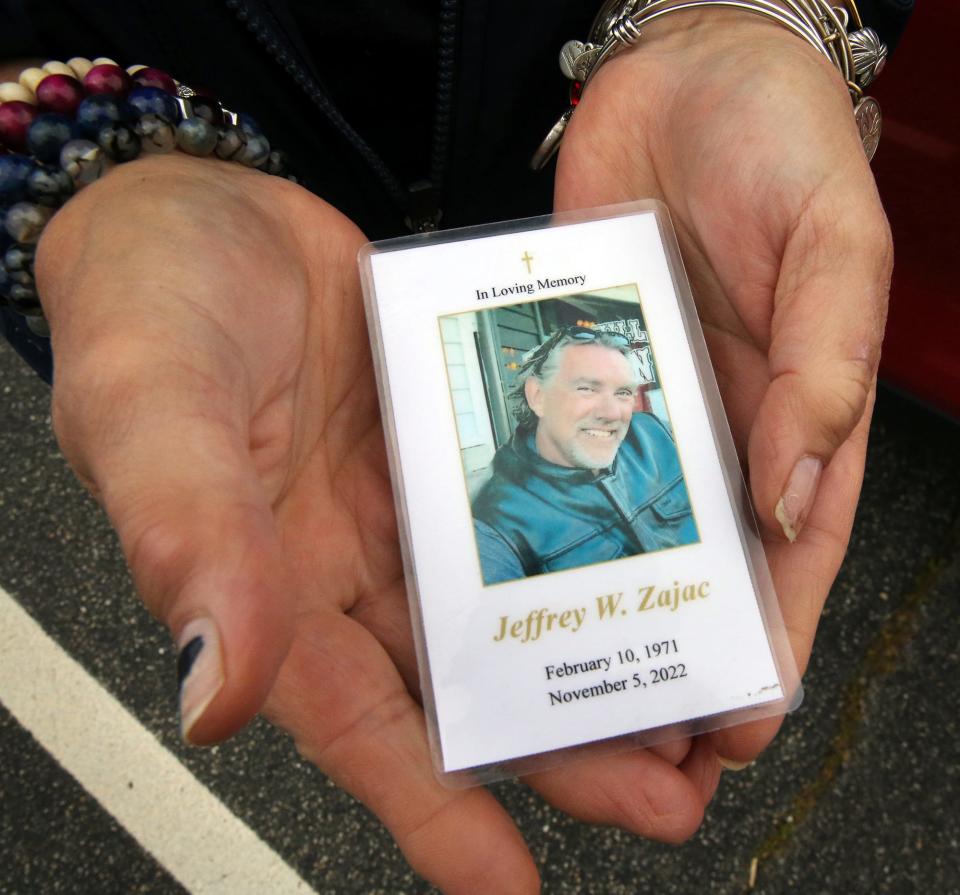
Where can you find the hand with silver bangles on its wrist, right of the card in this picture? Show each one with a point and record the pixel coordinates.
(748, 136)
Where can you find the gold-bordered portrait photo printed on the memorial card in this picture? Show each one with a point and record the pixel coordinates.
(565, 437)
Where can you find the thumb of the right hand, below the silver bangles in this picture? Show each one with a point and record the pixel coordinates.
(827, 326)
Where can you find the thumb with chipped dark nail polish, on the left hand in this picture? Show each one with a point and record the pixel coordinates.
(163, 446)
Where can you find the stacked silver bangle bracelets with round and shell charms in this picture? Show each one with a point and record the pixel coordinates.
(858, 55)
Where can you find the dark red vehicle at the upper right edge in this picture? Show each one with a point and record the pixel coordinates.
(918, 172)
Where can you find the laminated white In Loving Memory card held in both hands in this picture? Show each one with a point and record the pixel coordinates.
(580, 556)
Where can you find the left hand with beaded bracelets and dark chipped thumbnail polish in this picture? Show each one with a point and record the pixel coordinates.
(214, 390)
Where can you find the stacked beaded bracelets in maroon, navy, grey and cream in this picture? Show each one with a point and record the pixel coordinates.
(64, 125)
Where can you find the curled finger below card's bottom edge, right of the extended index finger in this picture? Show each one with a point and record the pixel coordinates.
(637, 791)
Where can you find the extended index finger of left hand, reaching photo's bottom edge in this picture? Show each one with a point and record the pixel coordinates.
(341, 698)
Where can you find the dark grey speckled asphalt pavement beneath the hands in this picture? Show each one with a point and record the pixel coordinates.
(858, 794)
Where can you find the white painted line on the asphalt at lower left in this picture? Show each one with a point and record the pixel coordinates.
(123, 766)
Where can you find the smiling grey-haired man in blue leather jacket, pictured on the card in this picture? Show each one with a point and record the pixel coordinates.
(584, 478)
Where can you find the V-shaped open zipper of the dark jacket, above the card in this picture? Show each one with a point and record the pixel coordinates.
(420, 201)
